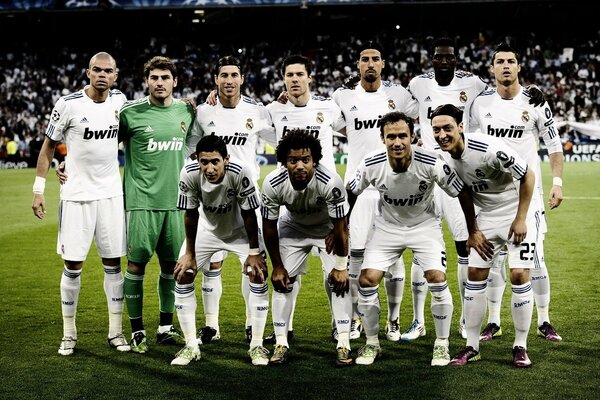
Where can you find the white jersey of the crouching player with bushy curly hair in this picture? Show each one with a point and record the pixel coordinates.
(310, 210)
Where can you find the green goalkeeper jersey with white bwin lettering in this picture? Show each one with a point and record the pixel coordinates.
(154, 139)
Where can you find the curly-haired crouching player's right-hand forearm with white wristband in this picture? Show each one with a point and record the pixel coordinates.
(338, 277)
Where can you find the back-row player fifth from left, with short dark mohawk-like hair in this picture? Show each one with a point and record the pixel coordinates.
(362, 108)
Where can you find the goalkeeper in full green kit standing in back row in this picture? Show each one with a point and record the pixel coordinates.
(154, 130)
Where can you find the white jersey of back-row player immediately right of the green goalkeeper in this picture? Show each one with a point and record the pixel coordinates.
(240, 127)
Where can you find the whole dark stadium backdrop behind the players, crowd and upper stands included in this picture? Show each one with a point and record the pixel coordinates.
(48, 43)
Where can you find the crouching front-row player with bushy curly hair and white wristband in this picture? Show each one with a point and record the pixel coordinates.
(315, 201)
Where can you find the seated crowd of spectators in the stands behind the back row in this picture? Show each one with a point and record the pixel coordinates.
(33, 79)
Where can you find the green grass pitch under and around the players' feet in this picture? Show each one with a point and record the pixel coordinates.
(32, 326)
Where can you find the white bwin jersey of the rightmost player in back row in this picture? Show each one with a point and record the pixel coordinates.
(518, 124)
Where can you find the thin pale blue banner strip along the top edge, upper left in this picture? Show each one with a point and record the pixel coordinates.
(134, 4)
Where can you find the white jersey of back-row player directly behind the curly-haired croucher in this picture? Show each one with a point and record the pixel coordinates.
(320, 117)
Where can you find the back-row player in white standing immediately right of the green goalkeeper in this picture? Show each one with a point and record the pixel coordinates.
(240, 122)
